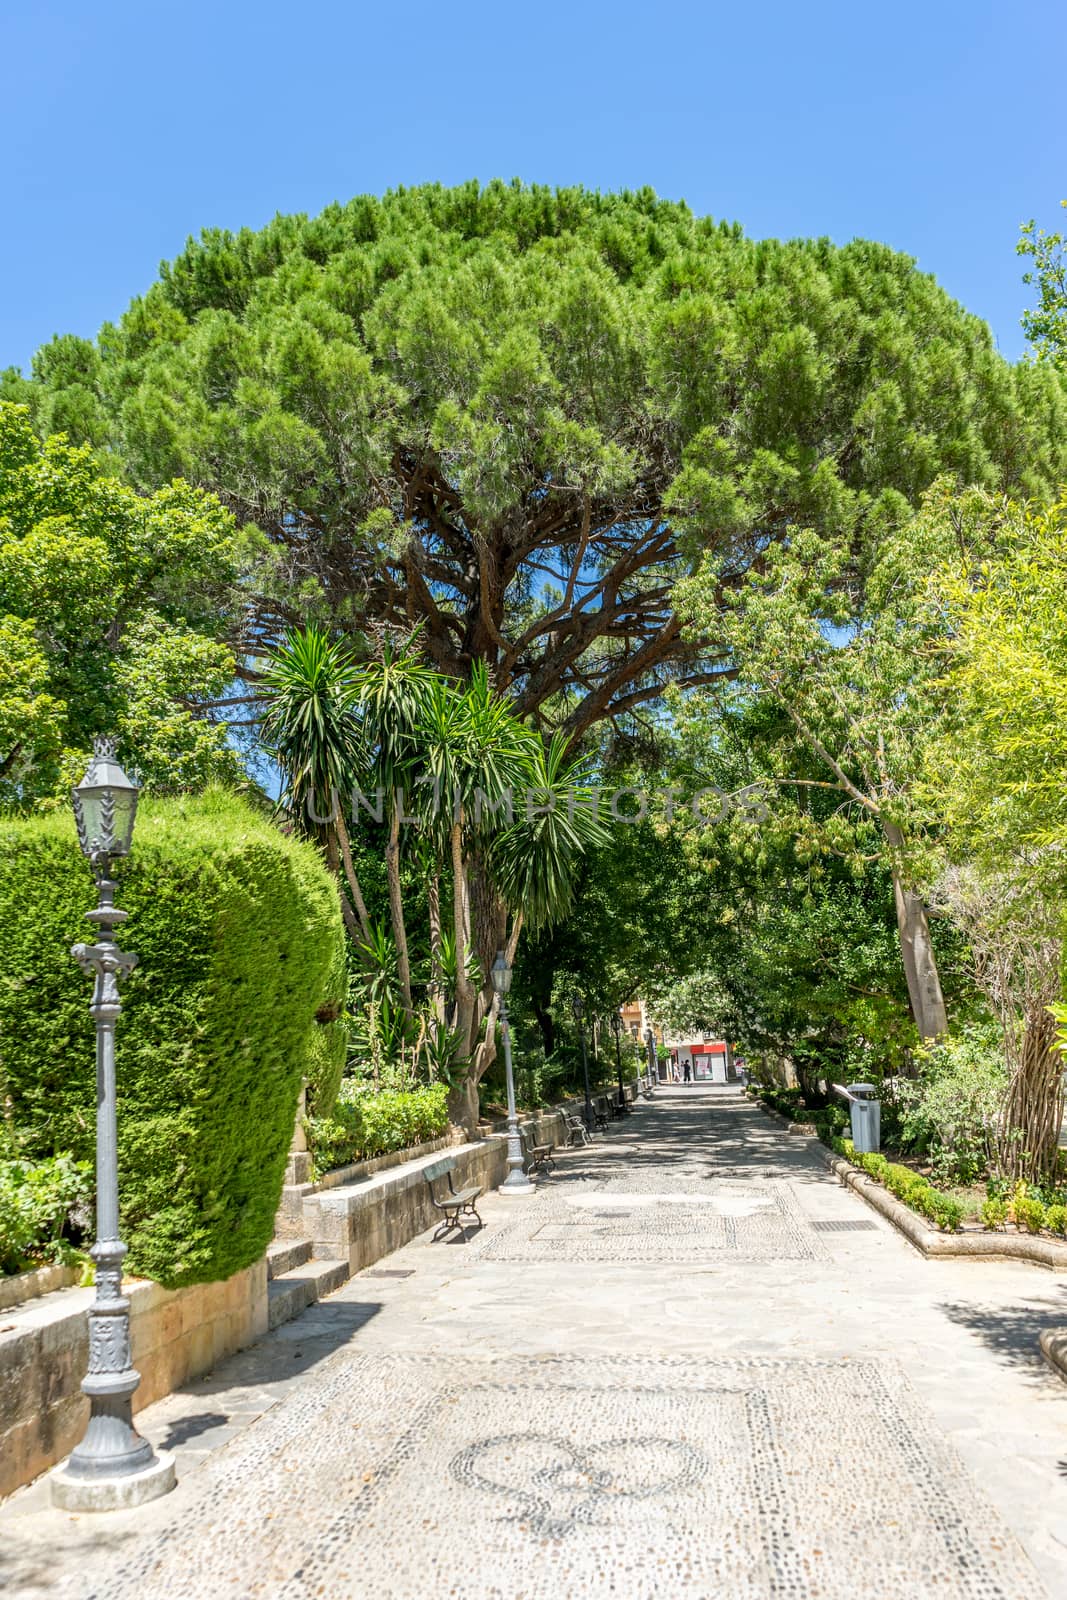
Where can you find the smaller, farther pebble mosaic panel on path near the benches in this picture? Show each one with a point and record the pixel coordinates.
(652, 1217)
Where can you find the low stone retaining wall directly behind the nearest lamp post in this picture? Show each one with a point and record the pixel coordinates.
(44, 1350)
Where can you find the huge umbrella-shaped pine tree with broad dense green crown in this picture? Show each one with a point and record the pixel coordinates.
(518, 417)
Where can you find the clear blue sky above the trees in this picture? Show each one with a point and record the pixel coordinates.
(935, 127)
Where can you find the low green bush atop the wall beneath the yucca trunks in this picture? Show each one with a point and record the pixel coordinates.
(366, 1124)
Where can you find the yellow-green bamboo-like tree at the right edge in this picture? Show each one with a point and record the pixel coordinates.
(999, 780)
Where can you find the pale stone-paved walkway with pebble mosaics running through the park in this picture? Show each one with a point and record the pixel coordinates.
(690, 1366)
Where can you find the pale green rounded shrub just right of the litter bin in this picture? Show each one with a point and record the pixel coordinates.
(951, 1113)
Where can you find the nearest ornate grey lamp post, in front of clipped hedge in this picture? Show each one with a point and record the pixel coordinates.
(113, 1466)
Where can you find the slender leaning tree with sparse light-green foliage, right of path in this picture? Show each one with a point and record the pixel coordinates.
(852, 647)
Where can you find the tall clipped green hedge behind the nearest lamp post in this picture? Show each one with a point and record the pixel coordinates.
(236, 932)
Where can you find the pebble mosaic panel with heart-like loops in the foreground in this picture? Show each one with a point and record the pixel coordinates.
(402, 1478)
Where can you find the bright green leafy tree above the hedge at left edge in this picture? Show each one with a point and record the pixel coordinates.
(111, 609)
